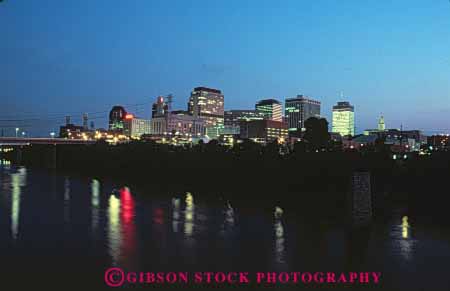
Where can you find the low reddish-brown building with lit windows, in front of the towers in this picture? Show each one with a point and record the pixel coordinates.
(264, 131)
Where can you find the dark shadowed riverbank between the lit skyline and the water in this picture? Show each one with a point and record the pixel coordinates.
(312, 184)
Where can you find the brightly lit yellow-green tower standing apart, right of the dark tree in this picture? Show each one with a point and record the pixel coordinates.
(344, 119)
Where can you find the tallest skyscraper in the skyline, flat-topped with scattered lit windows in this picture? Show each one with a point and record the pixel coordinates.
(208, 104)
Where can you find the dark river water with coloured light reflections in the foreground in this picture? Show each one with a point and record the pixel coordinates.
(61, 230)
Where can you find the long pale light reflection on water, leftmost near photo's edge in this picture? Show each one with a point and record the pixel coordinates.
(18, 180)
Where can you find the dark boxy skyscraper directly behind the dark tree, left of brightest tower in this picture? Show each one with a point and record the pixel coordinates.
(298, 110)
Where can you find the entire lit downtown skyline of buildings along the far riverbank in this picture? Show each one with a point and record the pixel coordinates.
(206, 119)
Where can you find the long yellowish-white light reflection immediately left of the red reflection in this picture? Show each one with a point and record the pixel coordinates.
(114, 228)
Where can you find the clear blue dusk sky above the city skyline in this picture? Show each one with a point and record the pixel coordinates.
(62, 58)
